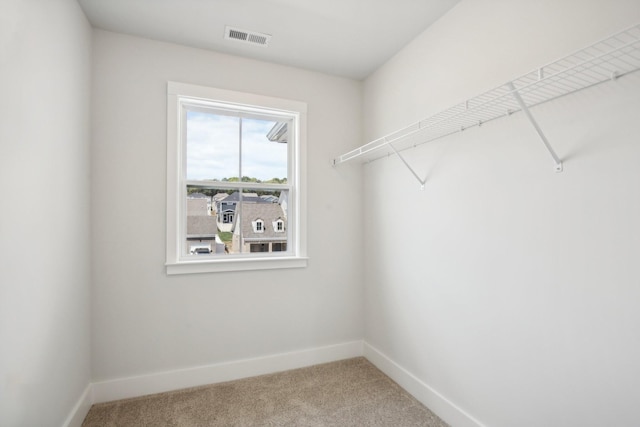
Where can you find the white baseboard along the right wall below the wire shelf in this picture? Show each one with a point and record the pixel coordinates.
(439, 404)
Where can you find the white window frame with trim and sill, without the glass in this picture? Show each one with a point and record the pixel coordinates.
(296, 255)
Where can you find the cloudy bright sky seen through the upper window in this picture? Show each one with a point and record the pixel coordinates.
(213, 148)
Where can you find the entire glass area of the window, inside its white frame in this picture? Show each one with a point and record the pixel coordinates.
(224, 148)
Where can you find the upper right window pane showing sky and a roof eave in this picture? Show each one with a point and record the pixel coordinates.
(264, 150)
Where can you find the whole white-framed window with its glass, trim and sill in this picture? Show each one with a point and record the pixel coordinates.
(234, 165)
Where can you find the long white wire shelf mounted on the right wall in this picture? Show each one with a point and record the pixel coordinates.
(603, 61)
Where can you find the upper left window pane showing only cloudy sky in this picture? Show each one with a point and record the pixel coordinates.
(213, 146)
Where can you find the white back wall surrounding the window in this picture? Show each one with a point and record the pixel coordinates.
(145, 322)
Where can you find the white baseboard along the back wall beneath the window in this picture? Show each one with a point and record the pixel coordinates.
(124, 388)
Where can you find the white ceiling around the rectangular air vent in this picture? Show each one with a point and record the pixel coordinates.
(349, 38)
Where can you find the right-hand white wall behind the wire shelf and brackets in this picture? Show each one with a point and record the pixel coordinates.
(507, 288)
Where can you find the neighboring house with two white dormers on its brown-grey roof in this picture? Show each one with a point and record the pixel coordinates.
(263, 228)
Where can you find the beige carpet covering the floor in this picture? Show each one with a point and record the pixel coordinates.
(346, 393)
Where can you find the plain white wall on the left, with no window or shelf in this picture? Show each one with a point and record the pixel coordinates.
(45, 58)
